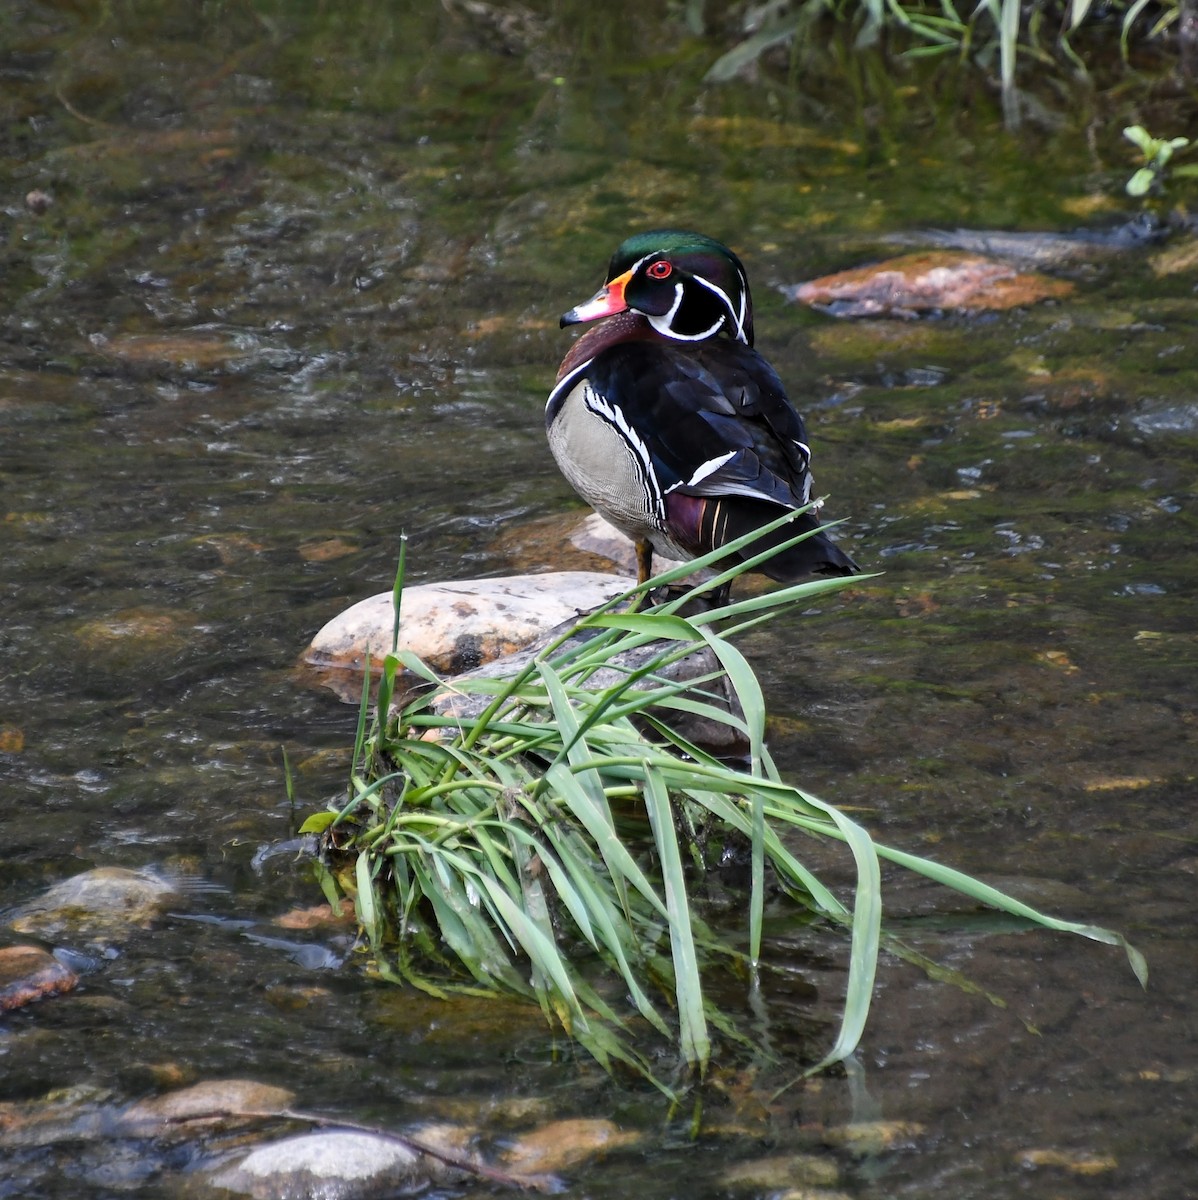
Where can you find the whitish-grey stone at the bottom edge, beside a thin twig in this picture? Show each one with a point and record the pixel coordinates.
(332, 1166)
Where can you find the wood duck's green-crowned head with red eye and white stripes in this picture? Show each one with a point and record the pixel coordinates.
(688, 286)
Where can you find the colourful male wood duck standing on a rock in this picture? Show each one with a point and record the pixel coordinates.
(670, 425)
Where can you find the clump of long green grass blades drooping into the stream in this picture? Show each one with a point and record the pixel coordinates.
(487, 853)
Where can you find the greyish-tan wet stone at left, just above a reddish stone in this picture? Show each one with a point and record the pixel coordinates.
(100, 907)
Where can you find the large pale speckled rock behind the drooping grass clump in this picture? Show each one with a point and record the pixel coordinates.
(458, 627)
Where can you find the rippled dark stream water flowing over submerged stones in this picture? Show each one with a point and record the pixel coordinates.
(296, 292)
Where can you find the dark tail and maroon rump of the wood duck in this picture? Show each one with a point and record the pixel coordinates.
(709, 523)
